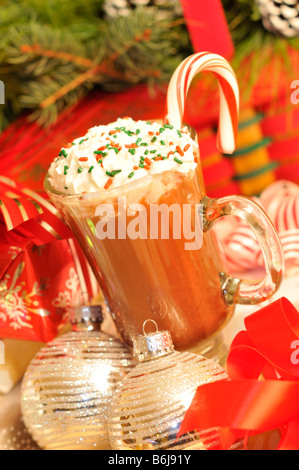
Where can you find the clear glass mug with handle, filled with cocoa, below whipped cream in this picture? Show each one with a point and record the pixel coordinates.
(187, 291)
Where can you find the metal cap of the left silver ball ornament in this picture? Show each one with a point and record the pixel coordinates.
(87, 318)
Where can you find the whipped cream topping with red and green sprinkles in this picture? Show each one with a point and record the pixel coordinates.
(113, 155)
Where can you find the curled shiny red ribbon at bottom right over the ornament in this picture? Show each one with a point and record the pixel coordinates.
(262, 395)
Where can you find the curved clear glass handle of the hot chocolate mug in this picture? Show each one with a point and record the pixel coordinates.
(249, 292)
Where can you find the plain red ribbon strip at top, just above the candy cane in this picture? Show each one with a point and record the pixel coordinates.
(208, 27)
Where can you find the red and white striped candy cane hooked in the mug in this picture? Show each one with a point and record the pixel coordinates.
(229, 95)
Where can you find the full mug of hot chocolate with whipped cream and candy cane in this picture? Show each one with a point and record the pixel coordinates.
(114, 183)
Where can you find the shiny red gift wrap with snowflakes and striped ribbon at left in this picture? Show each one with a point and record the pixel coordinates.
(43, 272)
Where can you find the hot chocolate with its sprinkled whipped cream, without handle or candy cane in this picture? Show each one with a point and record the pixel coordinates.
(171, 279)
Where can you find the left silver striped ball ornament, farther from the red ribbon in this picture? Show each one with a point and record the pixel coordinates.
(68, 387)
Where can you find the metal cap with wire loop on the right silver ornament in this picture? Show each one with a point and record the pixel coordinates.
(152, 345)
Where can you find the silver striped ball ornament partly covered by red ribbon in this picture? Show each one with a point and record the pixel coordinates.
(150, 403)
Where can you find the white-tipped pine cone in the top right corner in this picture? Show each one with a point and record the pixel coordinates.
(280, 16)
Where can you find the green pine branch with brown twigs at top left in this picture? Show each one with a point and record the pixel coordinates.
(59, 52)
